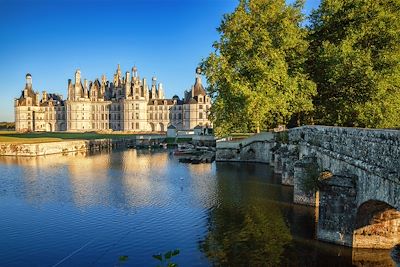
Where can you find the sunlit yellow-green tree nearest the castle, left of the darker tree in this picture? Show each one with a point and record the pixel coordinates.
(256, 74)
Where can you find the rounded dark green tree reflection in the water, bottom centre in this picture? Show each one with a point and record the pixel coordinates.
(255, 235)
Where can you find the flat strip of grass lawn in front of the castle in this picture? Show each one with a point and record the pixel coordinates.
(35, 137)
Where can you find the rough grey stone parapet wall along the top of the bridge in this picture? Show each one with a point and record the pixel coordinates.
(376, 151)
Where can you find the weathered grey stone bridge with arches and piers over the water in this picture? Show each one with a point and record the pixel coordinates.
(356, 173)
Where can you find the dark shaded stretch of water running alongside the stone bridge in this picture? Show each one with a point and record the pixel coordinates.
(256, 224)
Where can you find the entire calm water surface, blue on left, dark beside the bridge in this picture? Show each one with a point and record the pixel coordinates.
(88, 210)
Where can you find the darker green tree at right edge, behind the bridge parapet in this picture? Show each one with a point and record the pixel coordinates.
(355, 53)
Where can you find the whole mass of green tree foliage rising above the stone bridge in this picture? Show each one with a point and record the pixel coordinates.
(343, 68)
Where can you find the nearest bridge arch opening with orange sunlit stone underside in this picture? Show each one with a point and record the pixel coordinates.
(377, 225)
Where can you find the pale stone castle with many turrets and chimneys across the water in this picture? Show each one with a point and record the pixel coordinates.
(127, 103)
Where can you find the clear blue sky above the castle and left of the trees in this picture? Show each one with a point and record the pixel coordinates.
(52, 38)
